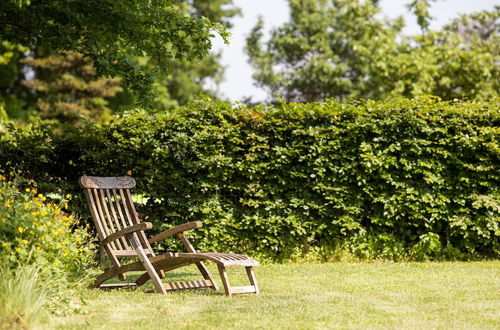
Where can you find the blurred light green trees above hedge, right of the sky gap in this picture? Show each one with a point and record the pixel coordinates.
(344, 49)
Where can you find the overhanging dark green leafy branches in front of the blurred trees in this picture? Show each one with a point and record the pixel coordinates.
(113, 33)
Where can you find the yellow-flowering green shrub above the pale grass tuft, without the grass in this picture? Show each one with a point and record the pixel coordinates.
(36, 230)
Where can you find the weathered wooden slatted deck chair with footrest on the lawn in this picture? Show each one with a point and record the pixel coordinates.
(121, 235)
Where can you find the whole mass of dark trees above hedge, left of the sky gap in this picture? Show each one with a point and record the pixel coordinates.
(159, 65)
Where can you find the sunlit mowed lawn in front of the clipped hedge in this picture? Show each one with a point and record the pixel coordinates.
(312, 296)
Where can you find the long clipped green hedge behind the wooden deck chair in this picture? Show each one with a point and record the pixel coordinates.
(405, 179)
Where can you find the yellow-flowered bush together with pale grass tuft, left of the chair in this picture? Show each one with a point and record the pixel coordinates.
(44, 255)
